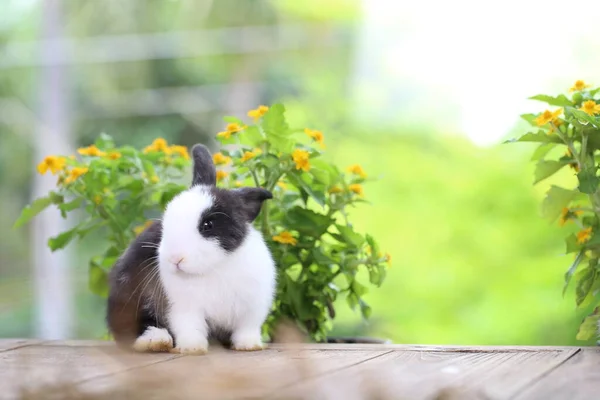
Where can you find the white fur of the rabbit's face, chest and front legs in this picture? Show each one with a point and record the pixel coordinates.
(233, 291)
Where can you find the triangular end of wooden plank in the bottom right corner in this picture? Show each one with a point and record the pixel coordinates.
(576, 379)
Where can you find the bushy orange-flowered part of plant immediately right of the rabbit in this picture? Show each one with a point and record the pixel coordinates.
(305, 222)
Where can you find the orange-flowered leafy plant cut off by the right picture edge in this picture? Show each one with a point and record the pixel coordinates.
(569, 137)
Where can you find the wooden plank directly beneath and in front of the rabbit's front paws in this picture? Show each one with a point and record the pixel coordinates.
(229, 374)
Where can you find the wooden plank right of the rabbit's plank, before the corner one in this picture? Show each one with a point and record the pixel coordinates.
(415, 374)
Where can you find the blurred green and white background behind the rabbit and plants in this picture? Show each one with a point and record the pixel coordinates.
(473, 262)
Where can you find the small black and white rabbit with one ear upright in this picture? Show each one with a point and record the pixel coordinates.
(201, 272)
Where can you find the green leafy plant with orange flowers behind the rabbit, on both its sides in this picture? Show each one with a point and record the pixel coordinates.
(317, 251)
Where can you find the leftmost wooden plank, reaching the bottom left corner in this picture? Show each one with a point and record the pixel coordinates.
(38, 365)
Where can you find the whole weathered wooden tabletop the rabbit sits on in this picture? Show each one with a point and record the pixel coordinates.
(306, 371)
